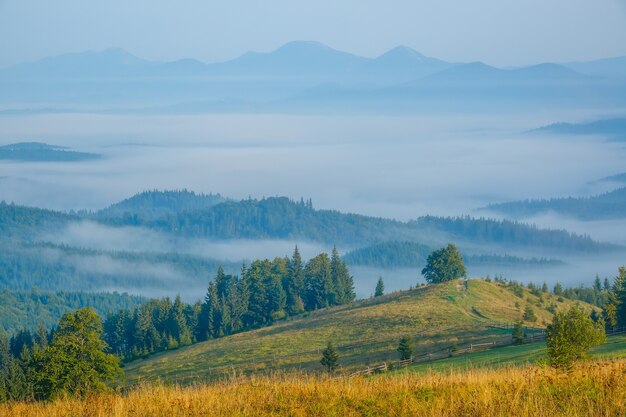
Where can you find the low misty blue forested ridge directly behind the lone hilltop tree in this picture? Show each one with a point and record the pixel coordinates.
(413, 255)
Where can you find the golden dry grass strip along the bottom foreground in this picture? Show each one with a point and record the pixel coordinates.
(592, 389)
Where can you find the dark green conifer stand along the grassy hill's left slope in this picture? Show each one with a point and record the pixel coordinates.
(264, 292)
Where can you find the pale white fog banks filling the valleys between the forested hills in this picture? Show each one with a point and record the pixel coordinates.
(396, 167)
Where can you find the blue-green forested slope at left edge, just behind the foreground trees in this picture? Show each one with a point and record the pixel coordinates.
(27, 310)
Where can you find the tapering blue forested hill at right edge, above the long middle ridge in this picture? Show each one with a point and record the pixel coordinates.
(611, 205)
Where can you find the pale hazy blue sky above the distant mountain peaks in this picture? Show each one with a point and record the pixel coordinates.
(498, 32)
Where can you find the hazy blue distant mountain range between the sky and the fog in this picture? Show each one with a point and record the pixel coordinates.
(301, 77)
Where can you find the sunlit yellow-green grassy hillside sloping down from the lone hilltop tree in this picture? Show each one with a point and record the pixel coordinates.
(365, 332)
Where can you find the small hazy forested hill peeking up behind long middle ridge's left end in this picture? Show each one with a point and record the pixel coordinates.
(151, 205)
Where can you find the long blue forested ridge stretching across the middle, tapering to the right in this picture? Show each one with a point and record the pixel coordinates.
(281, 218)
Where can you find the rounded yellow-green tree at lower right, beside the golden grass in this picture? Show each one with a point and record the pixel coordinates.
(571, 335)
